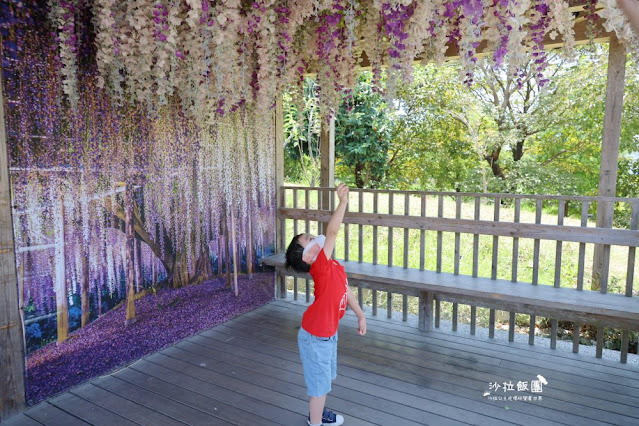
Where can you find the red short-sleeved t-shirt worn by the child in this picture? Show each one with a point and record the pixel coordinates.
(321, 319)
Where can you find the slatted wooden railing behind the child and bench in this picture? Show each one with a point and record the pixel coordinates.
(487, 235)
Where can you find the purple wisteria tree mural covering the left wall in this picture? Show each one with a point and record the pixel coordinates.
(118, 207)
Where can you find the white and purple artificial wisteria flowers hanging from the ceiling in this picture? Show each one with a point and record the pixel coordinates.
(218, 55)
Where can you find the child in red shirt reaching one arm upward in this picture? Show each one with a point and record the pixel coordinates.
(317, 338)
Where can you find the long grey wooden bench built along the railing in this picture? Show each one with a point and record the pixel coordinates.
(612, 310)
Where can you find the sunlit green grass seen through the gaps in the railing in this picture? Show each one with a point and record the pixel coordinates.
(547, 259)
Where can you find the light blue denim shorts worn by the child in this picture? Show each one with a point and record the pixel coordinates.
(319, 360)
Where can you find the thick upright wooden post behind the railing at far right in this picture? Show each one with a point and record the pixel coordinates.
(609, 155)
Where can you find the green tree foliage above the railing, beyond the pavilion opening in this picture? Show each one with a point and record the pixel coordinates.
(440, 134)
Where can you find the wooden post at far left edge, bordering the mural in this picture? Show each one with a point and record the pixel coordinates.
(12, 352)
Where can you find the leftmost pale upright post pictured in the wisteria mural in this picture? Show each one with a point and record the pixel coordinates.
(61, 298)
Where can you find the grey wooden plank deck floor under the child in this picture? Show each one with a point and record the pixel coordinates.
(247, 371)
